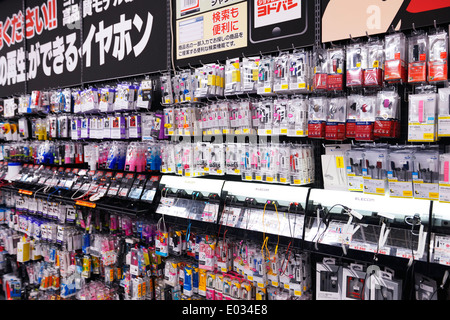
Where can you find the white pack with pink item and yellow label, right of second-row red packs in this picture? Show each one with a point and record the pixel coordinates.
(422, 117)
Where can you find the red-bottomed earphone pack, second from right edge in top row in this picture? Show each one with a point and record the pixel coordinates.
(417, 57)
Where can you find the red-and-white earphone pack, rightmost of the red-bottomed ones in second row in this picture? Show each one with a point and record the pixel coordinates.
(387, 114)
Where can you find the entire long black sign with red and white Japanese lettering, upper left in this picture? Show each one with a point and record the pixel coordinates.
(60, 43)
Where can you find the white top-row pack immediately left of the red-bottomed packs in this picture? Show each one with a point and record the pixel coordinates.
(300, 71)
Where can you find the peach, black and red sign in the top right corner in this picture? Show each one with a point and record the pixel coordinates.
(370, 17)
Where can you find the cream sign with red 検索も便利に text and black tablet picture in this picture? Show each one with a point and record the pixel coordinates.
(213, 30)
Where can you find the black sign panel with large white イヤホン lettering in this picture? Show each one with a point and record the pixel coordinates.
(126, 39)
